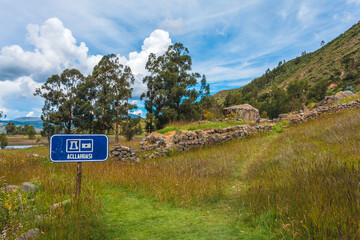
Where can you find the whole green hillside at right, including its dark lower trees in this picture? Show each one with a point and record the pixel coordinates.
(332, 68)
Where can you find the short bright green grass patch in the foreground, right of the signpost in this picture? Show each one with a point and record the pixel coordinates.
(132, 216)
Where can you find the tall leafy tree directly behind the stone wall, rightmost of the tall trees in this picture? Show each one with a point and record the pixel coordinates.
(171, 94)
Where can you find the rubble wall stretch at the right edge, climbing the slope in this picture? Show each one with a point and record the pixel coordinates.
(300, 117)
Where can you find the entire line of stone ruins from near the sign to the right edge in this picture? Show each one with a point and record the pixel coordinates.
(156, 145)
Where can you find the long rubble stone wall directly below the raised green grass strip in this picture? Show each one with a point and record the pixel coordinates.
(186, 140)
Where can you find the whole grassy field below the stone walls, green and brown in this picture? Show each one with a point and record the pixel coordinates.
(300, 183)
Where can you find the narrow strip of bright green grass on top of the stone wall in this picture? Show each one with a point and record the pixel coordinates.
(199, 126)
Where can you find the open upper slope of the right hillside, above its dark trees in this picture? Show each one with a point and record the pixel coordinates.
(333, 67)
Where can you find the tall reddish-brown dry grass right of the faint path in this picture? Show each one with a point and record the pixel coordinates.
(310, 178)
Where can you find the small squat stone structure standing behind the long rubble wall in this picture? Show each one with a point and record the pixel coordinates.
(245, 112)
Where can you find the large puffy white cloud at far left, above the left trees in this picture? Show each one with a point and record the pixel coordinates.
(55, 49)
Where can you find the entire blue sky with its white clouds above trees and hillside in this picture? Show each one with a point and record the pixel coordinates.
(231, 42)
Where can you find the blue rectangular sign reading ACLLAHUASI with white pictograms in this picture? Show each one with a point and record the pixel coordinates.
(79, 148)
